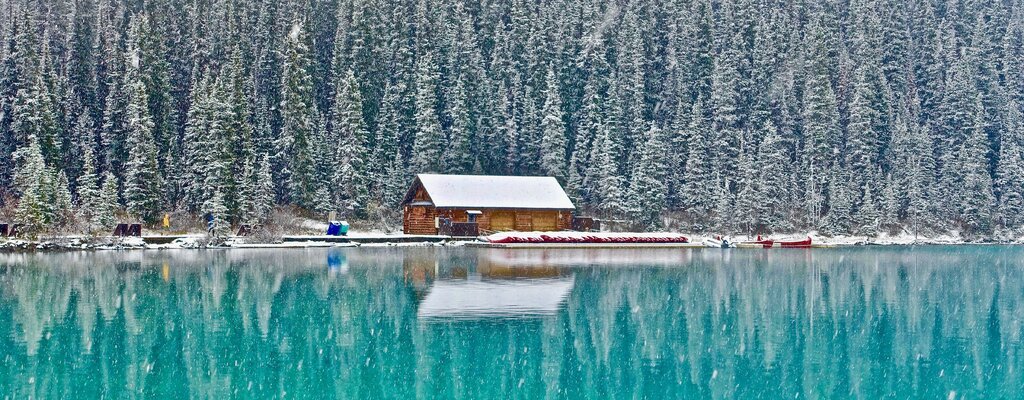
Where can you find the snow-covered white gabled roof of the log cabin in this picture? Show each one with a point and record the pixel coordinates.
(486, 192)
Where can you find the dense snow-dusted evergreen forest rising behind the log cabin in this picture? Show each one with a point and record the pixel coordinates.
(729, 116)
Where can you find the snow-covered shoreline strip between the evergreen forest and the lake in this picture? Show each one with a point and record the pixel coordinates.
(201, 242)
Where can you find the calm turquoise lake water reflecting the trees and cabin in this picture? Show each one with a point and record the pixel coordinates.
(931, 323)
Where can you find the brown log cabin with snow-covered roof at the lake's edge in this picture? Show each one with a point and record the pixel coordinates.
(494, 203)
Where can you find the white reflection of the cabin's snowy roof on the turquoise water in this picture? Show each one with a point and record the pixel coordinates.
(495, 299)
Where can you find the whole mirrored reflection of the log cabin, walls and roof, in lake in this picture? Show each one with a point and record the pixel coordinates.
(486, 286)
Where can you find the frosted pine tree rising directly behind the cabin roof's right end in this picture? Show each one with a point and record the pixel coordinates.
(553, 145)
